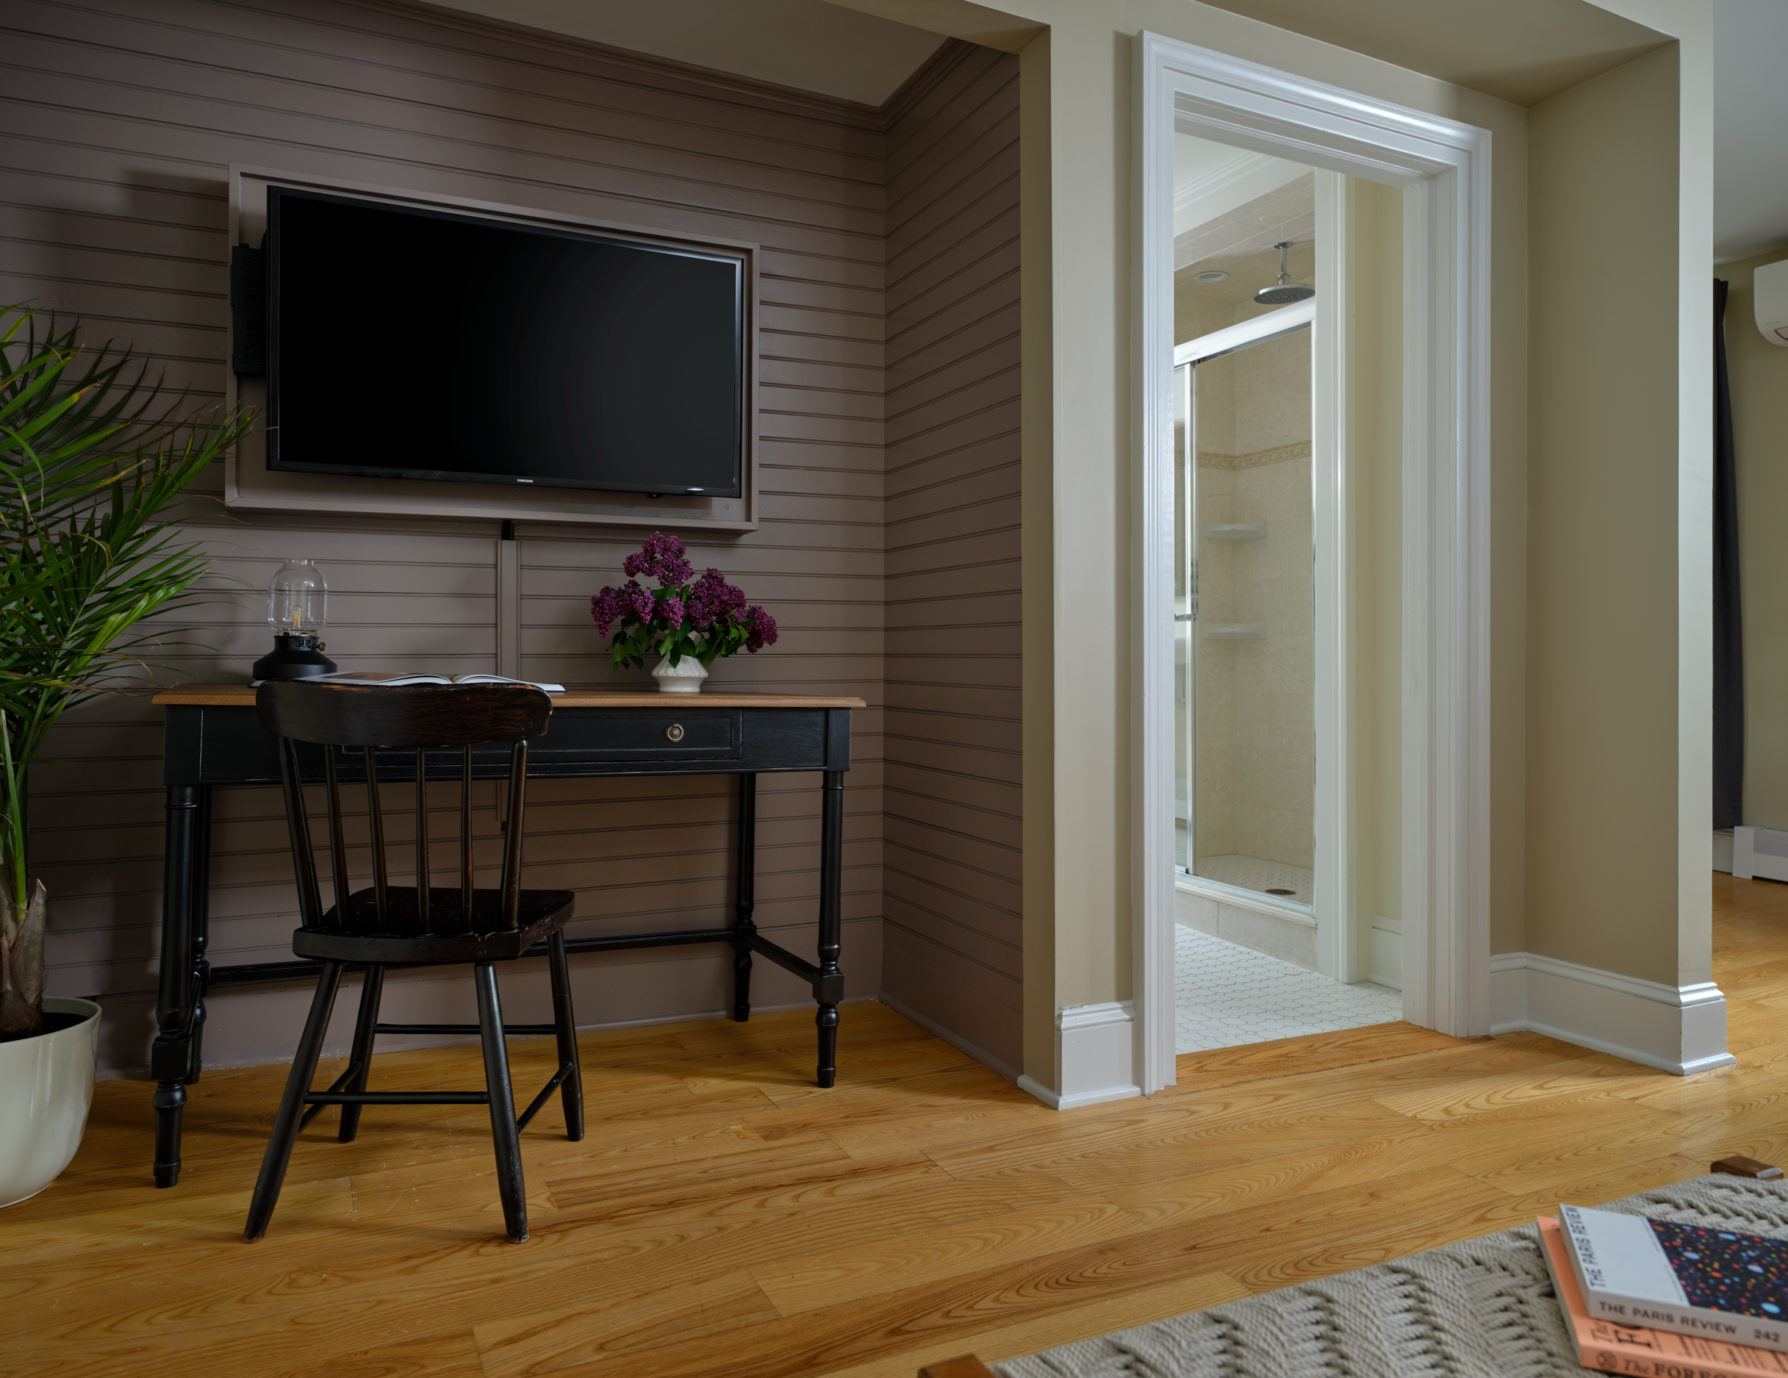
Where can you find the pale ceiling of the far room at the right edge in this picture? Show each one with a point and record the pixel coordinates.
(1750, 126)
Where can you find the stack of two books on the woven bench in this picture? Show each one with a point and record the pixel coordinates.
(1666, 1300)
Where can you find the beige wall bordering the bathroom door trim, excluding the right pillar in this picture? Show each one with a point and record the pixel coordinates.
(1079, 464)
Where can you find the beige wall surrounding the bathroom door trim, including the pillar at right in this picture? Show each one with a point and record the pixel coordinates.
(1079, 769)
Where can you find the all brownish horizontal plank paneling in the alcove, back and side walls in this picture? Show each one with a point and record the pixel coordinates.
(888, 473)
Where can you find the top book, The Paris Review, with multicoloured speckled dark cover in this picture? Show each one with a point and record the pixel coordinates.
(1689, 1279)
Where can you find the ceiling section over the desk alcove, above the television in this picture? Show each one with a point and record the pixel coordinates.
(805, 44)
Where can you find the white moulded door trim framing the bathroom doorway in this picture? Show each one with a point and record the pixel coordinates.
(1446, 673)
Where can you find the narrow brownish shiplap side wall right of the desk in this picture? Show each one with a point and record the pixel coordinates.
(952, 895)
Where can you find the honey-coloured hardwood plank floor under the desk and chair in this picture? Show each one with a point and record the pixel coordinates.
(729, 1218)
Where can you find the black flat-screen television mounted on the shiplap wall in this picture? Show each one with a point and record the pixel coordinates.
(437, 346)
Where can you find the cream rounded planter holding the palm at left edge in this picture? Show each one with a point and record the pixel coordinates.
(46, 1091)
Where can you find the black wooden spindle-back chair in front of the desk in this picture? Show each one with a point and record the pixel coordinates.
(414, 925)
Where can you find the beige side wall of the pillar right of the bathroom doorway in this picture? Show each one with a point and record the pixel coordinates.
(1612, 485)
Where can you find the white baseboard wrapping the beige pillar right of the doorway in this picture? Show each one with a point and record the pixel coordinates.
(1674, 1029)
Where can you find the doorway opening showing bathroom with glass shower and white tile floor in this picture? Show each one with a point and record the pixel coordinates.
(1263, 948)
